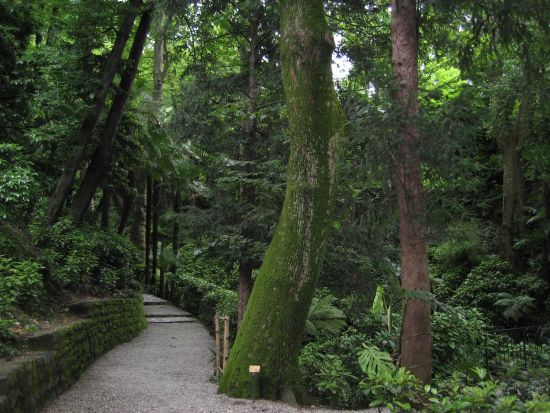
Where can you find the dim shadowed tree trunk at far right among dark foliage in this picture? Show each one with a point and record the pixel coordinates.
(513, 183)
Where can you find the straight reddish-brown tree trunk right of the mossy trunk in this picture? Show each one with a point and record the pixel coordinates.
(415, 333)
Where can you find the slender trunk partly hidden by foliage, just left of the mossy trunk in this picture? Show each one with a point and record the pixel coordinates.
(248, 154)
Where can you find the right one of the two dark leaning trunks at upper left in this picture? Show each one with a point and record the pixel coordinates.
(102, 156)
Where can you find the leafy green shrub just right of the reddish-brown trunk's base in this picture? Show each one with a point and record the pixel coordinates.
(458, 335)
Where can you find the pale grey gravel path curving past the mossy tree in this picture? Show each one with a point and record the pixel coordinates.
(165, 369)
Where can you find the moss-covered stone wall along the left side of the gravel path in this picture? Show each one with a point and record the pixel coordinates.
(29, 382)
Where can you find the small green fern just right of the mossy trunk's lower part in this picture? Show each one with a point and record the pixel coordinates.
(324, 317)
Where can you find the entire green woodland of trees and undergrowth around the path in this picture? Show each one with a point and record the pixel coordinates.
(363, 187)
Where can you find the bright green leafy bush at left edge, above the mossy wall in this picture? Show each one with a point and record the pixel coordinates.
(20, 282)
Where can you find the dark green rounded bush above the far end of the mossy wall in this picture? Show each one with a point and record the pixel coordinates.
(87, 258)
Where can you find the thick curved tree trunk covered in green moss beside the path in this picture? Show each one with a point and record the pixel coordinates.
(273, 325)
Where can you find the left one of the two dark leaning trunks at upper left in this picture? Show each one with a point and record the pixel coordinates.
(112, 64)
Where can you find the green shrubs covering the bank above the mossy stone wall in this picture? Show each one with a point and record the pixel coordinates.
(46, 264)
